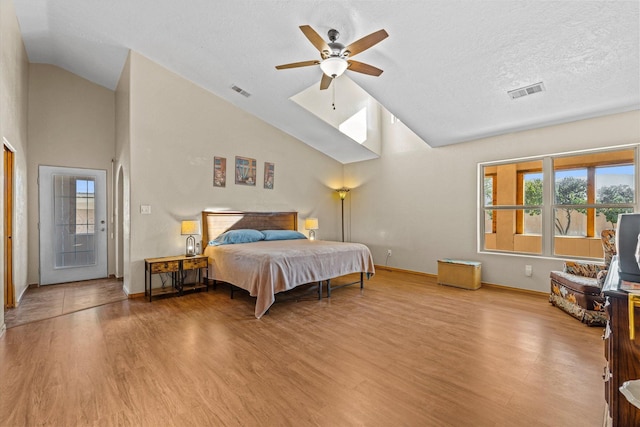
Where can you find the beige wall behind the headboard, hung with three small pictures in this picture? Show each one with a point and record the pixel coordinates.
(176, 128)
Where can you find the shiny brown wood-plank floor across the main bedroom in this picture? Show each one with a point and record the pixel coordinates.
(404, 351)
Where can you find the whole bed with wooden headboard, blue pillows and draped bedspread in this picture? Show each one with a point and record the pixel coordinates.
(267, 267)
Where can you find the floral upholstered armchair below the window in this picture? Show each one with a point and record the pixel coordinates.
(577, 289)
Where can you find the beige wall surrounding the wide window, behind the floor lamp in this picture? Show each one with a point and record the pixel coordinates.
(423, 203)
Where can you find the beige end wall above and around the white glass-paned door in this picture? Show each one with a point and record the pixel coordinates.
(71, 124)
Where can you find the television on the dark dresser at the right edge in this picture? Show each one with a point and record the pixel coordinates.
(627, 245)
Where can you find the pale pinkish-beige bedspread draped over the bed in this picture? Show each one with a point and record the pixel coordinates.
(267, 267)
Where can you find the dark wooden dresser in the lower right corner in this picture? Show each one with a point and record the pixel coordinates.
(622, 353)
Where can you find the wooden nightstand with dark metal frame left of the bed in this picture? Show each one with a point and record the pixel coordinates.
(176, 266)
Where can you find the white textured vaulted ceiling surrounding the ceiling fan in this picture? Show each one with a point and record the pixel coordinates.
(447, 64)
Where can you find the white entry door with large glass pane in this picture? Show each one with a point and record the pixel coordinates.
(73, 228)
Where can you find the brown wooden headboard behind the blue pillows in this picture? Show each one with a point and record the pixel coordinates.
(216, 223)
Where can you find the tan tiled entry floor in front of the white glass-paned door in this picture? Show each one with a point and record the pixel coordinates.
(49, 301)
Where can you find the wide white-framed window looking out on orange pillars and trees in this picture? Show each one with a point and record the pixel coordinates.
(556, 205)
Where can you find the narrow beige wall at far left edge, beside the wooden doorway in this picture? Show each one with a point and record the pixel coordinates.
(14, 69)
